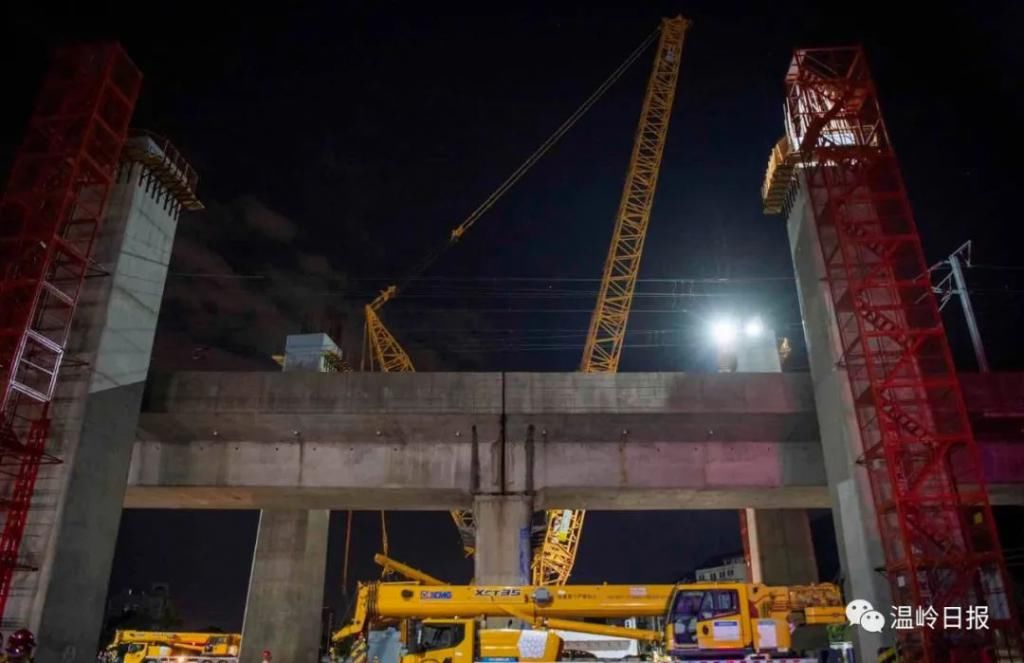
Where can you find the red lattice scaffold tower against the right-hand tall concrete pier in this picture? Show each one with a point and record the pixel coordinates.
(936, 525)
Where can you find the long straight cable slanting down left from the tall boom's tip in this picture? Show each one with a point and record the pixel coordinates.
(538, 154)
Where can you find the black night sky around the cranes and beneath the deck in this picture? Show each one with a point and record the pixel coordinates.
(337, 145)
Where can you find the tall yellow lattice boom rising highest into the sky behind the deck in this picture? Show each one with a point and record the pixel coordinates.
(608, 326)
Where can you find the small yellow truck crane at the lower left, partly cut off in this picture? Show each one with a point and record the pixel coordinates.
(160, 647)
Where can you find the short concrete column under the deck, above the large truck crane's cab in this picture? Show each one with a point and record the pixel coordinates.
(781, 548)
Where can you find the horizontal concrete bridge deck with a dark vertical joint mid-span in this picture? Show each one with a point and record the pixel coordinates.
(432, 441)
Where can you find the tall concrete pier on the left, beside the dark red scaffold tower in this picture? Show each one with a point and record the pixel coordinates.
(73, 525)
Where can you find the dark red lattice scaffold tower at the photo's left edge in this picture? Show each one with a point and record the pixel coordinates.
(50, 216)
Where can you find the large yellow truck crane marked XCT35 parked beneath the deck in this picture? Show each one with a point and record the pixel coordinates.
(731, 621)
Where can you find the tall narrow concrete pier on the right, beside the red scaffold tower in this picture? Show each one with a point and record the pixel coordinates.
(854, 508)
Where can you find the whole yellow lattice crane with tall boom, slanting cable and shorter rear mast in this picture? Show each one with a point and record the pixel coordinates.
(554, 559)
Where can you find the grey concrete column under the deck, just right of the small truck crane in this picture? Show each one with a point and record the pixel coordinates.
(286, 588)
